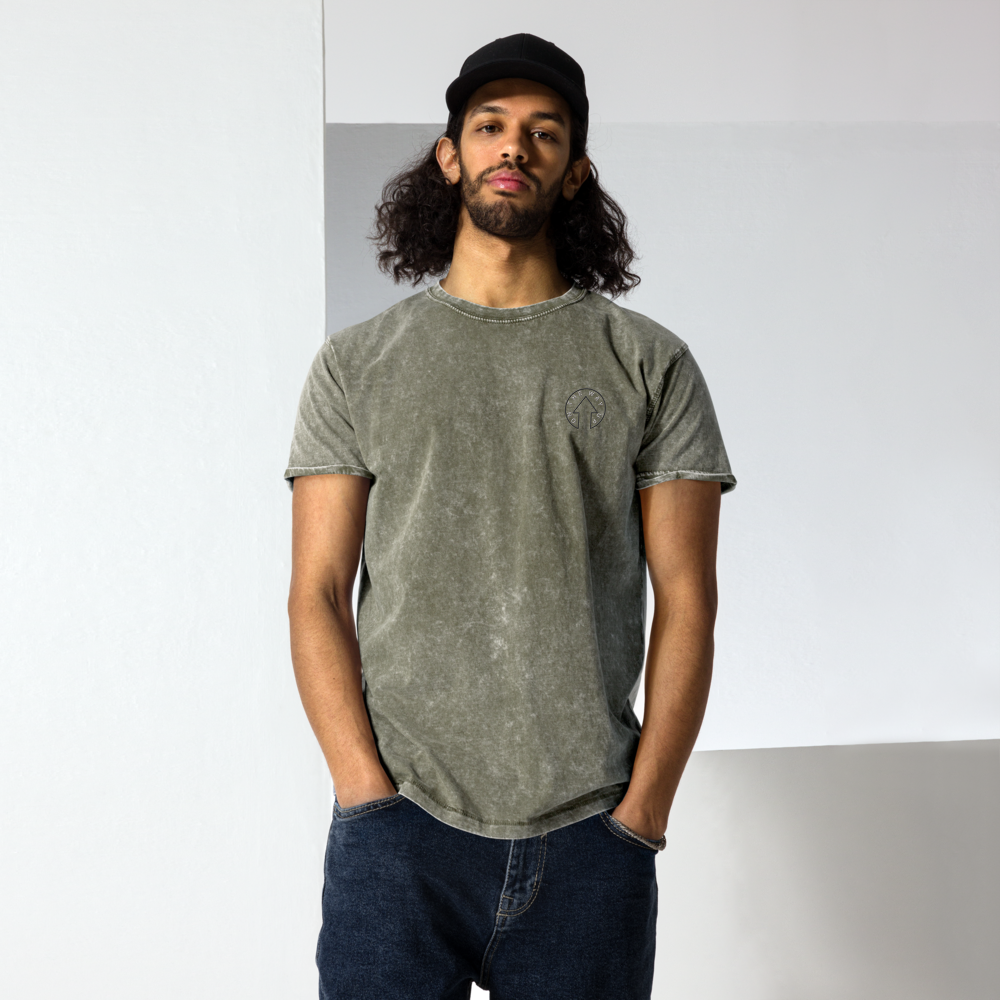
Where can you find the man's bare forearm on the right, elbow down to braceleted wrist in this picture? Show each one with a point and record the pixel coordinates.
(678, 677)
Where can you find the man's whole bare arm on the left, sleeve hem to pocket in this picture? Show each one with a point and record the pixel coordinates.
(328, 525)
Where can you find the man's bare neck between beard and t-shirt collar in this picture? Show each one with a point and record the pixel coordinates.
(503, 273)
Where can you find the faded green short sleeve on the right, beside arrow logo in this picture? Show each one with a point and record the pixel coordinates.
(682, 439)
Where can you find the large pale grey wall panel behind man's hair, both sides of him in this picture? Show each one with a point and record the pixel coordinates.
(839, 286)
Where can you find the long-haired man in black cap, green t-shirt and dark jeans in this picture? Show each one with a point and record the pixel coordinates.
(513, 449)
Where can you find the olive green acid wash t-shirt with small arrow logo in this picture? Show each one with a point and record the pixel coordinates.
(501, 615)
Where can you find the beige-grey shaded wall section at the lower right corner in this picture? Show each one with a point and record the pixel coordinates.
(834, 873)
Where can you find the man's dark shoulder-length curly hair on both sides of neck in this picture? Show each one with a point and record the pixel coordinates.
(417, 218)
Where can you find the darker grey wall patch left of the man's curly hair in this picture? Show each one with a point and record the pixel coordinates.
(359, 160)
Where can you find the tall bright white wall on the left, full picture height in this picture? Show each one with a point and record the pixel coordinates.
(162, 295)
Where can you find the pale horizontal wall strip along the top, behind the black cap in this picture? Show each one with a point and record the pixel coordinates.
(685, 61)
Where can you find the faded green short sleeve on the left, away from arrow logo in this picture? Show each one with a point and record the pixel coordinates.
(324, 440)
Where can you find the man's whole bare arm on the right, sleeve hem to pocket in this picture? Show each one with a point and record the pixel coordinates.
(680, 522)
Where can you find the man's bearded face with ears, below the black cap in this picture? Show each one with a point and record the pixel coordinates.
(513, 157)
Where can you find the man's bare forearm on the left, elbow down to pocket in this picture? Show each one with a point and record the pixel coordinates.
(327, 665)
